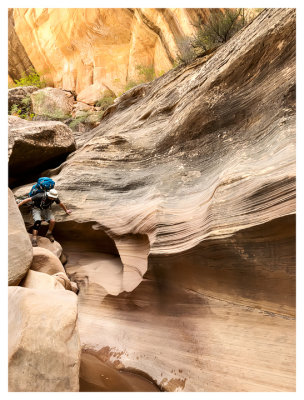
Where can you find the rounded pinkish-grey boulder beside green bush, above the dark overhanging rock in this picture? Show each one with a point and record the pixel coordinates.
(52, 103)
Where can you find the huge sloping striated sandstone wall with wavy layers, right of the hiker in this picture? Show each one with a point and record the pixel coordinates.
(187, 190)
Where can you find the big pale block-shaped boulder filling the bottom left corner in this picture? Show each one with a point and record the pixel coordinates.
(44, 348)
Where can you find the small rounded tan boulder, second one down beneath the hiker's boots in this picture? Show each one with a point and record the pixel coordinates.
(45, 261)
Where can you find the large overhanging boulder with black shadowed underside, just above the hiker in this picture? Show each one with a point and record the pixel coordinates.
(35, 145)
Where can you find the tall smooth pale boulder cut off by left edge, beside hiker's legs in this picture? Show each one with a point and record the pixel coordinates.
(20, 253)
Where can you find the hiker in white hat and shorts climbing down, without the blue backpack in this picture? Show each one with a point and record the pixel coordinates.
(42, 209)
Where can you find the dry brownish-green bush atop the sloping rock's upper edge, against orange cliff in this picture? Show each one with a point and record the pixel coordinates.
(212, 31)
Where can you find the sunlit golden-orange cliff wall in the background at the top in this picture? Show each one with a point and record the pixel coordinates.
(91, 50)
